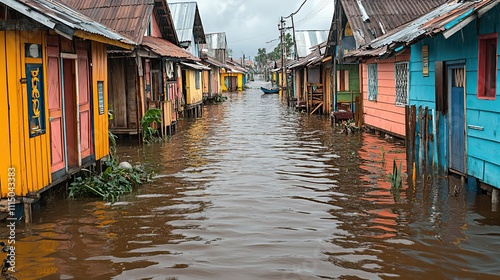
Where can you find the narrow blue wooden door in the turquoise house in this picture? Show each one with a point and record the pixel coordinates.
(457, 118)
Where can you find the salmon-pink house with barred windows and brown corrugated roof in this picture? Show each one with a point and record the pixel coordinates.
(382, 83)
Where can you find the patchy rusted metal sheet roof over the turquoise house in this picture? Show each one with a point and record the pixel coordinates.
(446, 19)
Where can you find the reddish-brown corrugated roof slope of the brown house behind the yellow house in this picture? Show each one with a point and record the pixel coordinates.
(128, 17)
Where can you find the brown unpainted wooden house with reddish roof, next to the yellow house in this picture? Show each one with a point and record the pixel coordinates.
(150, 75)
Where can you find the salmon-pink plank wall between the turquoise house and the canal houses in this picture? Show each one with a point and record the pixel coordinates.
(383, 113)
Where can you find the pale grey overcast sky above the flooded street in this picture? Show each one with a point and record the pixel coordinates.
(251, 24)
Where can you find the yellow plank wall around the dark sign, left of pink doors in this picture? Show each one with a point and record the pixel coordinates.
(29, 156)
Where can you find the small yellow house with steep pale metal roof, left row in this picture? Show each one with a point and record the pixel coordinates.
(189, 30)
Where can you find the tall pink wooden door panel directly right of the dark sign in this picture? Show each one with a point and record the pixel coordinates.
(55, 99)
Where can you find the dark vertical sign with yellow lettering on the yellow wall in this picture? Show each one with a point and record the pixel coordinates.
(36, 96)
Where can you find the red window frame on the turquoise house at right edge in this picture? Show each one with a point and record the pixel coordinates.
(483, 90)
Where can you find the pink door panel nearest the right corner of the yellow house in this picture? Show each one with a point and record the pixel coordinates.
(84, 111)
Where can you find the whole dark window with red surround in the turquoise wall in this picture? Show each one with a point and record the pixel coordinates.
(487, 68)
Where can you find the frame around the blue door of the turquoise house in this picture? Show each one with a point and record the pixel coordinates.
(449, 69)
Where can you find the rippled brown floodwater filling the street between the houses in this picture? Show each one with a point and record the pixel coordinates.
(256, 190)
